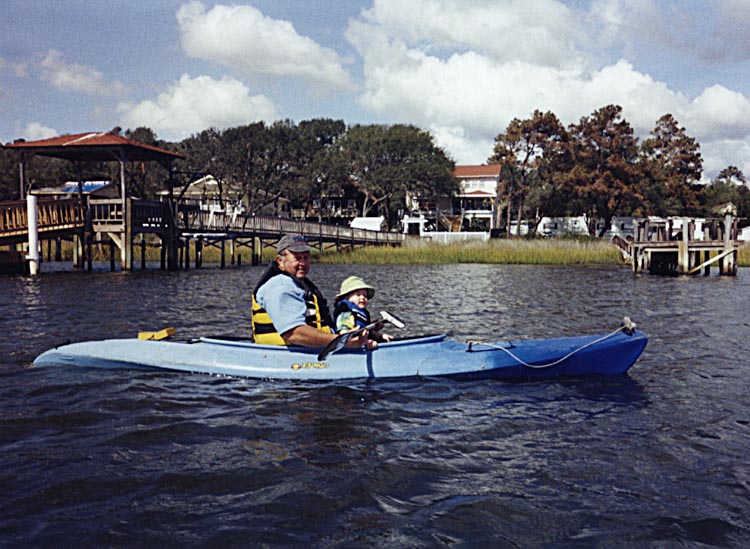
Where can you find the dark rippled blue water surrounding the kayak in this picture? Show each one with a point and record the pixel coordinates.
(141, 458)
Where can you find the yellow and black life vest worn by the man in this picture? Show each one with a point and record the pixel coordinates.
(317, 314)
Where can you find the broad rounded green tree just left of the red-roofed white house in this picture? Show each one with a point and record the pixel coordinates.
(387, 162)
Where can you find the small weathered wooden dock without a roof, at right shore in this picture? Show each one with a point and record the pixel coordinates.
(670, 248)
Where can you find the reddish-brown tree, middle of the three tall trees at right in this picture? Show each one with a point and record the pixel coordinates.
(605, 172)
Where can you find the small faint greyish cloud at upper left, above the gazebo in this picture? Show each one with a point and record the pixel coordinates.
(76, 78)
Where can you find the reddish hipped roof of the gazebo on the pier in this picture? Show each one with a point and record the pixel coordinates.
(94, 146)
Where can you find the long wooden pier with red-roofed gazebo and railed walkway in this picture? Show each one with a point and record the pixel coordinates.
(124, 222)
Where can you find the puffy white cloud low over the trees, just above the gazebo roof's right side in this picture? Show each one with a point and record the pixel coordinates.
(195, 104)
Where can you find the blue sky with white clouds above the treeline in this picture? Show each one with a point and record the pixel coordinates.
(460, 69)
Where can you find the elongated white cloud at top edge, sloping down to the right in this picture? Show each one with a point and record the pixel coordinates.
(242, 38)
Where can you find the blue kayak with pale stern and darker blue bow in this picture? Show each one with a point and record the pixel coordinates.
(426, 356)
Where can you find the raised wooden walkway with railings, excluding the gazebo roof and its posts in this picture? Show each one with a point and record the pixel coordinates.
(109, 221)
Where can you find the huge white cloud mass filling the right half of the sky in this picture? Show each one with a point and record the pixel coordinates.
(445, 72)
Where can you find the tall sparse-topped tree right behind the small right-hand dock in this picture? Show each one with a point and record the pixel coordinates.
(673, 161)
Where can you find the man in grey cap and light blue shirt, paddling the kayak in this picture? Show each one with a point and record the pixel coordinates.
(288, 308)
